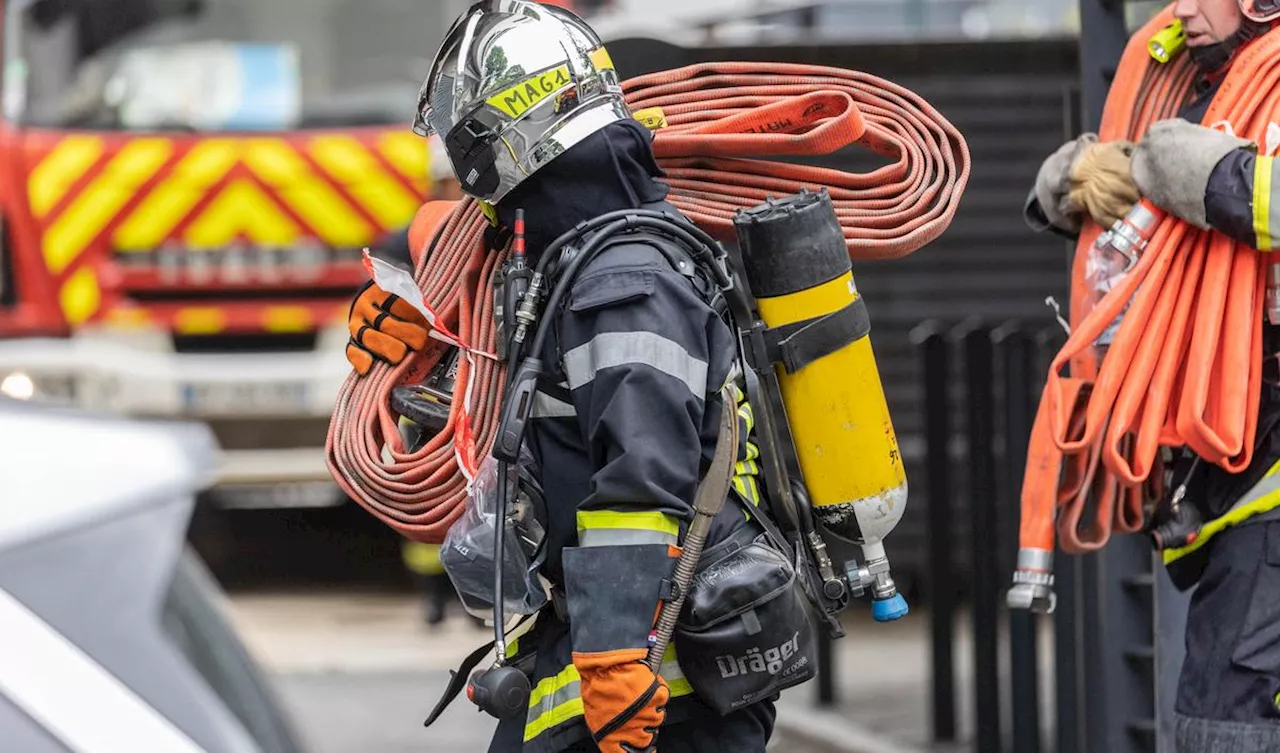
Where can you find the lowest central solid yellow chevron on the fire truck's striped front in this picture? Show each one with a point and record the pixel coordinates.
(241, 208)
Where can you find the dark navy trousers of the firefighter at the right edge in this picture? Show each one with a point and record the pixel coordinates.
(1229, 690)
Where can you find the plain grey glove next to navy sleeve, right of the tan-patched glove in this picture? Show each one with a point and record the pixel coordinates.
(1173, 163)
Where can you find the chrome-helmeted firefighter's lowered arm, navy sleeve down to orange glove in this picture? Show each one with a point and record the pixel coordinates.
(636, 357)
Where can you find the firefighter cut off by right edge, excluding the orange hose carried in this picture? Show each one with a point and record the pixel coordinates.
(1229, 690)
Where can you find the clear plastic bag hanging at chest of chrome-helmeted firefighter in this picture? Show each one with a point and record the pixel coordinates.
(468, 551)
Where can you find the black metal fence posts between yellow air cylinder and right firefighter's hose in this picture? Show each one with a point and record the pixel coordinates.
(995, 373)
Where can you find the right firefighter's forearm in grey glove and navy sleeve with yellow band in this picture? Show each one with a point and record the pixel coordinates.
(1208, 177)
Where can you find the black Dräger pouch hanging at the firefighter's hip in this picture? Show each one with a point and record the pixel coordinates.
(746, 632)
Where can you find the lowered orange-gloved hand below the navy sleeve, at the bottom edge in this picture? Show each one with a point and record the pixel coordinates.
(624, 702)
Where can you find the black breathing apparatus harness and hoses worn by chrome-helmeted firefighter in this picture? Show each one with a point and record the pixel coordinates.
(527, 295)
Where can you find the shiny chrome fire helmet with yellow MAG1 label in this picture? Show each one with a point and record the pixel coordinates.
(515, 85)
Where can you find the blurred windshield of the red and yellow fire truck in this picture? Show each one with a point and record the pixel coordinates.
(213, 65)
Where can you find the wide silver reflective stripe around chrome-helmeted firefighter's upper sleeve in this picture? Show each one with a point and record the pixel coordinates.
(616, 349)
